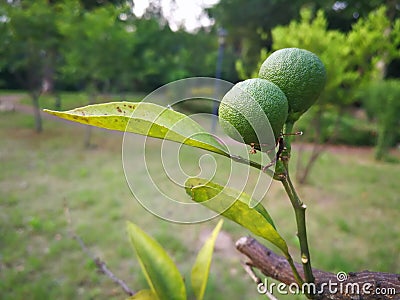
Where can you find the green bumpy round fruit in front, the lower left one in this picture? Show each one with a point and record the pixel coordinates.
(245, 110)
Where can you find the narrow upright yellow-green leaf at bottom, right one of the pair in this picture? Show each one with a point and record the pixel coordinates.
(201, 267)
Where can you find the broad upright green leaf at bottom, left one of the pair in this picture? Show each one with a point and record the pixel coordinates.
(160, 271)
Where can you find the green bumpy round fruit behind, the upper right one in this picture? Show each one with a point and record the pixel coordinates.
(299, 73)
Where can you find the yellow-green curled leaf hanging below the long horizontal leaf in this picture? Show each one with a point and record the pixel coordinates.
(235, 206)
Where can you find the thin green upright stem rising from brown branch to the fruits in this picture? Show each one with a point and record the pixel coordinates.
(298, 206)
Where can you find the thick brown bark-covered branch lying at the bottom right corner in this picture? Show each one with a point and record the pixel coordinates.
(363, 285)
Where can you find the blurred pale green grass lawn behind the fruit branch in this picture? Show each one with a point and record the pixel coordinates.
(353, 215)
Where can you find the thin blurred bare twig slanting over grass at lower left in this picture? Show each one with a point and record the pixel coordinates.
(101, 265)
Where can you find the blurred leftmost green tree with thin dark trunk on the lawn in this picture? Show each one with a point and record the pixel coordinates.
(29, 45)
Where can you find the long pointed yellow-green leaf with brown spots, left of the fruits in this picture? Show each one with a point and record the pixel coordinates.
(146, 119)
